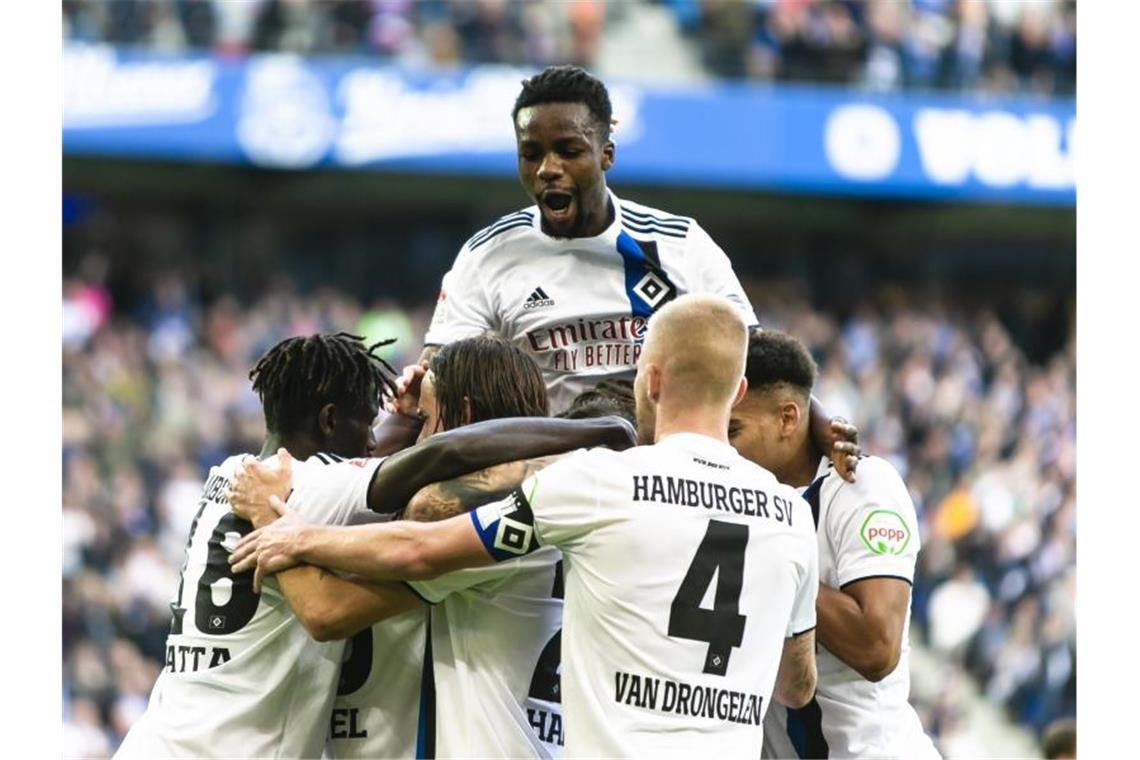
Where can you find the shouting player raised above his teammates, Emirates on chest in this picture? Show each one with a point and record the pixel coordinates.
(575, 277)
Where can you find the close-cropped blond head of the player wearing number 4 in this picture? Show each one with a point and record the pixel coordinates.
(693, 363)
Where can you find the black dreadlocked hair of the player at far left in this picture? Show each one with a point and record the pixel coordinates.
(300, 375)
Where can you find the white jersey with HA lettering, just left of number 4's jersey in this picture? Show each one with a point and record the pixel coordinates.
(496, 642)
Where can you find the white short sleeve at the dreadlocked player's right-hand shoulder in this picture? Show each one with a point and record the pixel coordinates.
(332, 494)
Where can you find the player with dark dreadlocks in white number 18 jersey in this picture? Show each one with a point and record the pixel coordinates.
(253, 673)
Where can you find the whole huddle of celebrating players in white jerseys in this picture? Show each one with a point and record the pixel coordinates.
(681, 560)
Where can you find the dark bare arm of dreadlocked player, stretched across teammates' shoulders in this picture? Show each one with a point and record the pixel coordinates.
(468, 450)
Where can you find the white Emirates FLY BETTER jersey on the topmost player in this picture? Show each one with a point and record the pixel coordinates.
(580, 306)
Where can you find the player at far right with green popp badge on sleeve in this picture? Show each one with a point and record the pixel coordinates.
(869, 542)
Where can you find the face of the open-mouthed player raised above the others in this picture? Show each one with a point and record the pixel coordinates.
(563, 164)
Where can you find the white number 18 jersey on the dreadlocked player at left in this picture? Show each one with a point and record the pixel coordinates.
(243, 677)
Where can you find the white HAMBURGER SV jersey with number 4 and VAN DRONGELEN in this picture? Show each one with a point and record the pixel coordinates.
(687, 568)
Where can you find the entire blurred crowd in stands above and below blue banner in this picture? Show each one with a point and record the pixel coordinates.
(156, 357)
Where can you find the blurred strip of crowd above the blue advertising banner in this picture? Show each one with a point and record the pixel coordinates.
(995, 46)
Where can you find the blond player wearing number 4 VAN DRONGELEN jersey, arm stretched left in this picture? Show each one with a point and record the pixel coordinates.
(690, 573)
